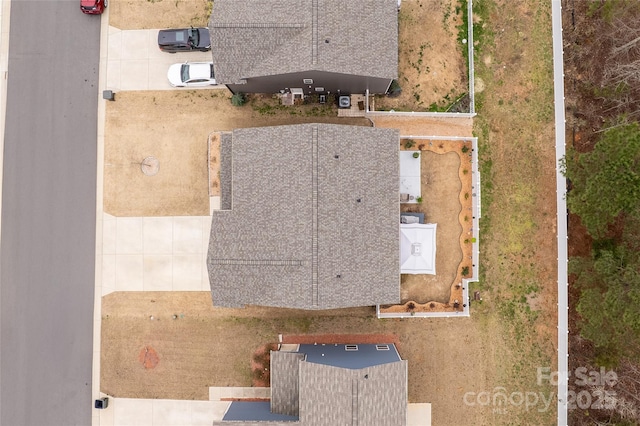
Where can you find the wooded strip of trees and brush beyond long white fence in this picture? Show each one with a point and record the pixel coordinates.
(602, 68)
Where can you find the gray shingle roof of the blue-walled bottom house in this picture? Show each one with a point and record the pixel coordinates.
(322, 394)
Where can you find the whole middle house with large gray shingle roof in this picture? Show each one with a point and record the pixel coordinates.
(309, 218)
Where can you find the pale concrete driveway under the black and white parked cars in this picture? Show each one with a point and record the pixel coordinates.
(134, 61)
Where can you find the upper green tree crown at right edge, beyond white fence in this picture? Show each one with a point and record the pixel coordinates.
(606, 181)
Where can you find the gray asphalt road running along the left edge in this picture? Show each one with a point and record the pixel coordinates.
(47, 248)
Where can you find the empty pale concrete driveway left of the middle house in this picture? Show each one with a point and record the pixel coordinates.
(155, 253)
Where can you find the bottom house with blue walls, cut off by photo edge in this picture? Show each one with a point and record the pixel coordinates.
(330, 384)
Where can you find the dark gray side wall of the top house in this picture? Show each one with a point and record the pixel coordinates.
(328, 82)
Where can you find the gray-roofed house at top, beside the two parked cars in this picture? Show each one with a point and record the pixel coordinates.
(305, 47)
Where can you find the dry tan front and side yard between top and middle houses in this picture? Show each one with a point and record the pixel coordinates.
(173, 127)
